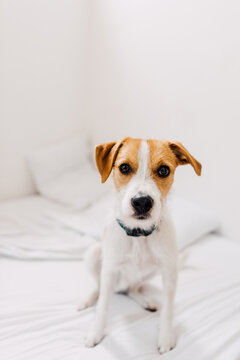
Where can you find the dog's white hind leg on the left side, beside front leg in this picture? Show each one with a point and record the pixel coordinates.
(93, 265)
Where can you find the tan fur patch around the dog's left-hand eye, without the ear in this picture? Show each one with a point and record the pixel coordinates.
(127, 155)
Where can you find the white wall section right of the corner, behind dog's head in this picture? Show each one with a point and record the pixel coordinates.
(170, 69)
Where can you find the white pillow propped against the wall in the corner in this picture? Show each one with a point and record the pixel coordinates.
(63, 173)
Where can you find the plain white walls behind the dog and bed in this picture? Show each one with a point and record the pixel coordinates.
(142, 68)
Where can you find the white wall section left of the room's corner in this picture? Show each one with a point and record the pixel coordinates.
(42, 81)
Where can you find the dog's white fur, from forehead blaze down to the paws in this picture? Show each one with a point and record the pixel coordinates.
(126, 262)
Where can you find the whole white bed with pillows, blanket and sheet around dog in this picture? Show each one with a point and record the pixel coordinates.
(43, 239)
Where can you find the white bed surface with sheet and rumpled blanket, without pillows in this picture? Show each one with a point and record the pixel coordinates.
(42, 277)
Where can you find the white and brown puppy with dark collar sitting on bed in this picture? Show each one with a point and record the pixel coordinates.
(139, 239)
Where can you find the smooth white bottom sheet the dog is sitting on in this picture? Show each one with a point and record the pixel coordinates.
(39, 320)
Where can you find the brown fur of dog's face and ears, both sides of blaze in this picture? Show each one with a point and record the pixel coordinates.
(125, 153)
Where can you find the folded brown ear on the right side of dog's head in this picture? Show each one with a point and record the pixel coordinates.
(184, 157)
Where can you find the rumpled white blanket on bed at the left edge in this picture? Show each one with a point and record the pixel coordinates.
(26, 231)
